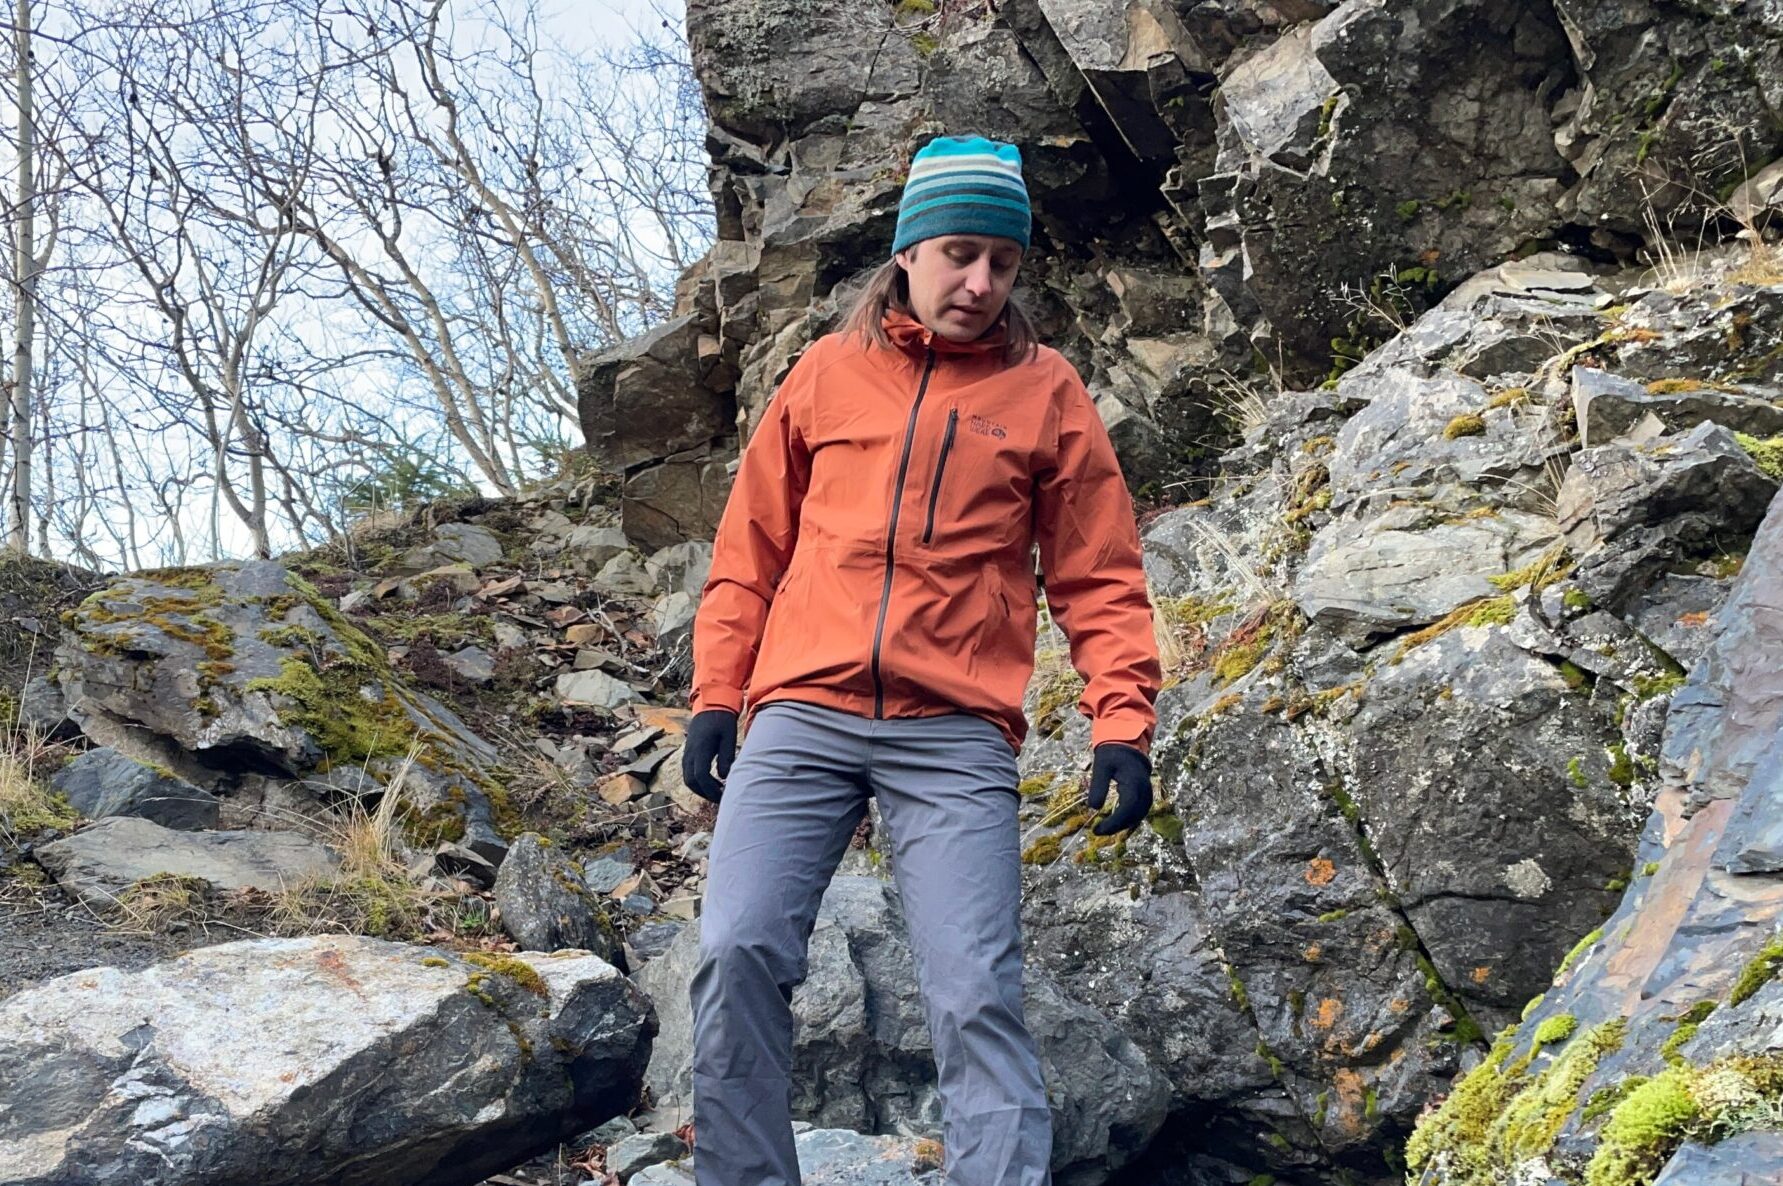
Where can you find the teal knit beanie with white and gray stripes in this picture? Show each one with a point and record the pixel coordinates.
(964, 186)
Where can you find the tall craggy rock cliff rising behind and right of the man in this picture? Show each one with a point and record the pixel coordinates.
(1443, 342)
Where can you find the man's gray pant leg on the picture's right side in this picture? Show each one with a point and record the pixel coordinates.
(948, 796)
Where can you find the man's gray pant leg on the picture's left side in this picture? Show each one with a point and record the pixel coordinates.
(791, 805)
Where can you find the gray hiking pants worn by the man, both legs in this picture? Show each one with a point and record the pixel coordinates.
(794, 798)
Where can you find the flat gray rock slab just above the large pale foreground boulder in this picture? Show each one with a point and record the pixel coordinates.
(101, 862)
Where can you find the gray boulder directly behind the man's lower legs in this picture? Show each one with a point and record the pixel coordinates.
(862, 1053)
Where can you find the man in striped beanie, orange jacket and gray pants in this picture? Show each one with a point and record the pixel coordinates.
(873, 607)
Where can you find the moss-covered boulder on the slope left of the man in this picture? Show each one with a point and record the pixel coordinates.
(243, 668)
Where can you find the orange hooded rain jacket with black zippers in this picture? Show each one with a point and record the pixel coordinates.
(876, 550)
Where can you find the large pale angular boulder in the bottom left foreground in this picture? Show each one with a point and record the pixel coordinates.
(308, 1062)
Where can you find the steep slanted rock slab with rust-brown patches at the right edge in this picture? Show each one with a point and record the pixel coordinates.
(1679, 975)
